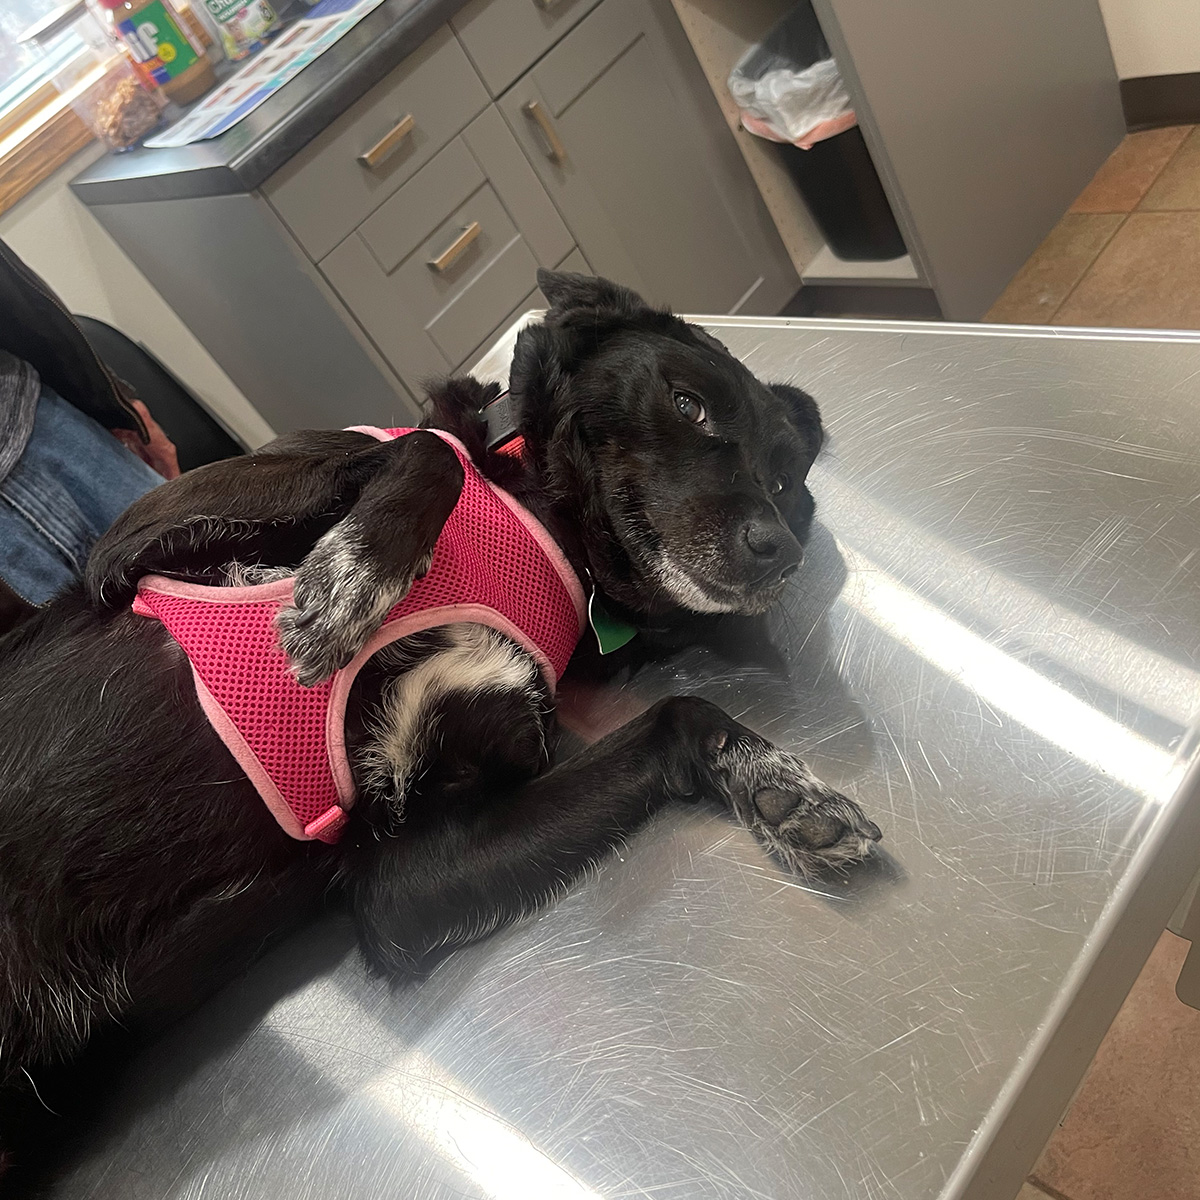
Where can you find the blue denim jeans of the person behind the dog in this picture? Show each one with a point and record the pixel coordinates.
(69, 487)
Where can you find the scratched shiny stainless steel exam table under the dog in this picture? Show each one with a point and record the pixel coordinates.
(995, 646)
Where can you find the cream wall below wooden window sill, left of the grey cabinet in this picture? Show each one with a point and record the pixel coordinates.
(59, 239)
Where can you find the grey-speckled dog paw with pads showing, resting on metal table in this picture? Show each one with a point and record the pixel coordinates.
(805, 823)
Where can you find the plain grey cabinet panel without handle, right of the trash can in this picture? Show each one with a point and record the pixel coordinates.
(986, 121)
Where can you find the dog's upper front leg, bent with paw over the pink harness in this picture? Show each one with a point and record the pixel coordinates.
(361, 517)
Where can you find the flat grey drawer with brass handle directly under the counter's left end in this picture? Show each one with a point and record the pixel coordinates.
(328, 190)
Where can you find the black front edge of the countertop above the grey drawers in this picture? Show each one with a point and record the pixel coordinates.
(257, 147)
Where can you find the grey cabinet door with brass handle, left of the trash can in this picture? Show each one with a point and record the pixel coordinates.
(621, 139)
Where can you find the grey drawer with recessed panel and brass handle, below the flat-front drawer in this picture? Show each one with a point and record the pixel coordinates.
(427, 321)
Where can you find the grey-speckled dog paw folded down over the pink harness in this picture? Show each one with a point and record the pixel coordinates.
(341, 598)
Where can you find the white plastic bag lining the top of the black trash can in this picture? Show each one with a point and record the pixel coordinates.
(789, 88)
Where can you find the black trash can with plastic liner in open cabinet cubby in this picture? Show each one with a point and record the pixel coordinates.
(789, 91)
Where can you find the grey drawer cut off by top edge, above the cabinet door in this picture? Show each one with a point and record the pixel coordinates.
(505, 38)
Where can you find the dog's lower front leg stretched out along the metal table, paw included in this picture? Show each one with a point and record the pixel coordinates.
(452, 881)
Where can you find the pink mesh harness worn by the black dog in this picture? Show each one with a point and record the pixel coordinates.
(494, 565)
